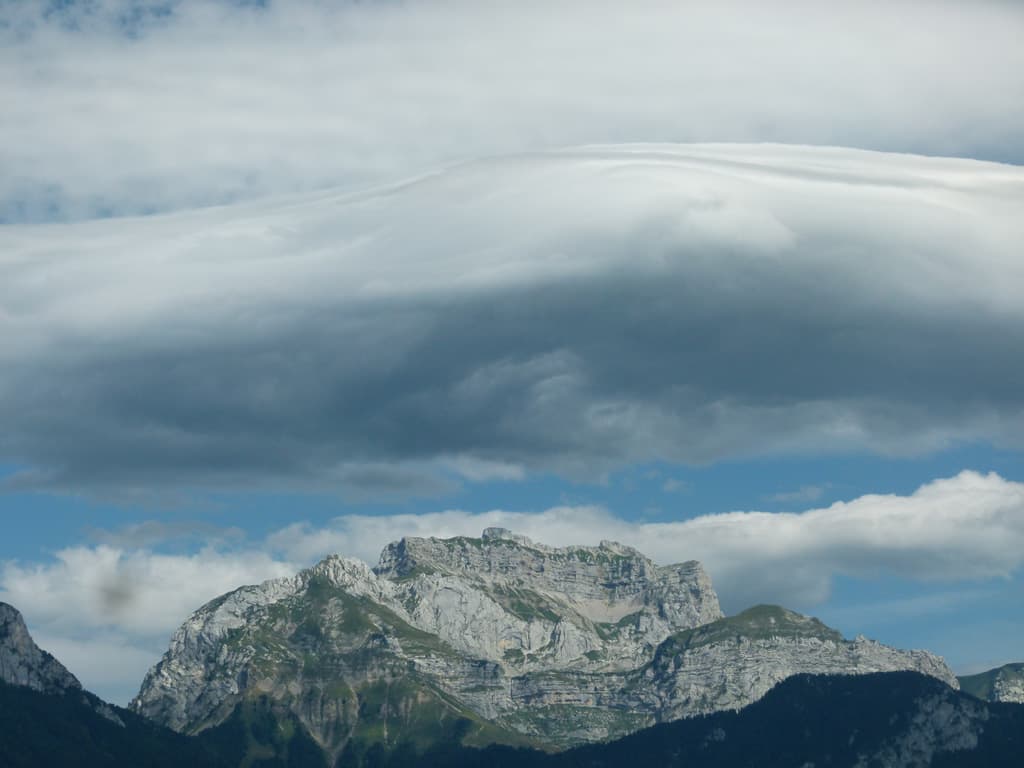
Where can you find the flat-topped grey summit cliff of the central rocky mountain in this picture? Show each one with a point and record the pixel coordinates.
(533, 608)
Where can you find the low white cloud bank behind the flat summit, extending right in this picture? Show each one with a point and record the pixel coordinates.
(966, 528)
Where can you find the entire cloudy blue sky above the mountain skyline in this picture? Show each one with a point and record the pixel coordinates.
(733, 282)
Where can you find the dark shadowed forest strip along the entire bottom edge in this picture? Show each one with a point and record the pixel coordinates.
(828, 721)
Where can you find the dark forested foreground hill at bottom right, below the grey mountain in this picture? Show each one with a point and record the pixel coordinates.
(882, 720)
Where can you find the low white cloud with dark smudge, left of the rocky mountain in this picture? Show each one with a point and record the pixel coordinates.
(107, 612)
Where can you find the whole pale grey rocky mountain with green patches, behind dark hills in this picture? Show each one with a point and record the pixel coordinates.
(491, 639)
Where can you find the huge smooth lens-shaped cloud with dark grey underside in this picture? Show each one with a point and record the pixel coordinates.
(569, 312)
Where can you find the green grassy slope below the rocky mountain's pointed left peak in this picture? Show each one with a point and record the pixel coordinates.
(355, 690)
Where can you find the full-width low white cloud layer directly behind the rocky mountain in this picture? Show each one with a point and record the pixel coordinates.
(99, 603)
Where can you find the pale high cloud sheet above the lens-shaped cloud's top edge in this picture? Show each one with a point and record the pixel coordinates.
(130, 107)
